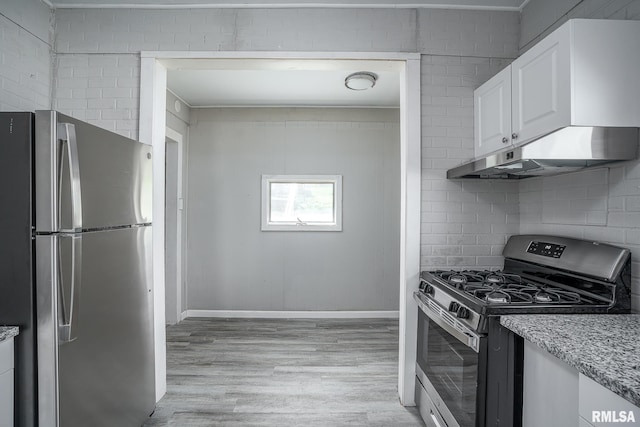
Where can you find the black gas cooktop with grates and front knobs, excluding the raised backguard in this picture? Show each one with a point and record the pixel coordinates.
(473, 296)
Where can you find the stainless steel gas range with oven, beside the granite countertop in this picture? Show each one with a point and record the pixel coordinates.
(469, 368)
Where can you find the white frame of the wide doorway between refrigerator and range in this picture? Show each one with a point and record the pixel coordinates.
(153, 85)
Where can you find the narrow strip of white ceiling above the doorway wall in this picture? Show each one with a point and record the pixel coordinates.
(466, 4)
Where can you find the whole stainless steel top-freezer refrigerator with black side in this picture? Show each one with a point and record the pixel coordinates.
(75, 271)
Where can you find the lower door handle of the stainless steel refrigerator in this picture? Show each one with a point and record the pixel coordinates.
(69, 289)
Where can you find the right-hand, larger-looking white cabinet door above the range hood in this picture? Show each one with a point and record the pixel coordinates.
(541, 85)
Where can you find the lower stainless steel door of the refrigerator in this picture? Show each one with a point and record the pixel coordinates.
(105, 376)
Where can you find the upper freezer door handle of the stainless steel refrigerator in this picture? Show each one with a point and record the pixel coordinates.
(67, 135)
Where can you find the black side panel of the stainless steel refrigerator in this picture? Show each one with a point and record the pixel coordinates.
(17, 300)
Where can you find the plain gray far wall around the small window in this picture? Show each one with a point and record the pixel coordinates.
(233, 265)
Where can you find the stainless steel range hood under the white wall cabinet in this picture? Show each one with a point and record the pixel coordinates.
(565, 150)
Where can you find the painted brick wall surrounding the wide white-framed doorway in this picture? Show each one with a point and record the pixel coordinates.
(464, 224)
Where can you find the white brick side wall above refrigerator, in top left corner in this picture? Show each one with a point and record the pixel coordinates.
(25, 56)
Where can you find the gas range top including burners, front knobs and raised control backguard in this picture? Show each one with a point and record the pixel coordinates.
(541, 274)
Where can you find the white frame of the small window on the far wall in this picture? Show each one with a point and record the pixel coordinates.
(267, 225)
